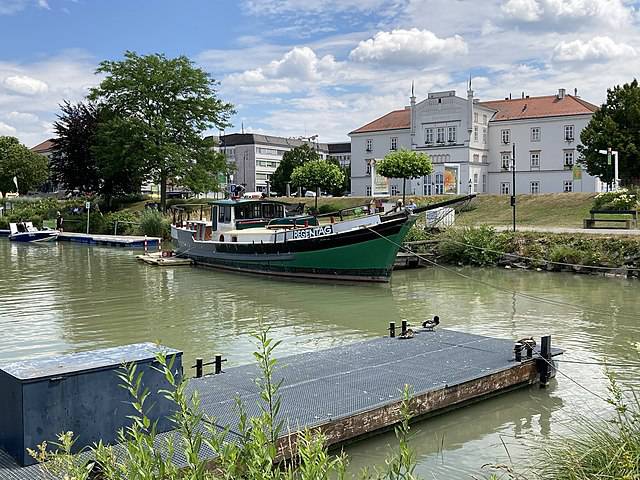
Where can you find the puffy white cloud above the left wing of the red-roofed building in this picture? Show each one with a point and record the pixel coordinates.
(409, 47)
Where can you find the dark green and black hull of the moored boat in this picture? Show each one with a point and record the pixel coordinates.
(365, 254)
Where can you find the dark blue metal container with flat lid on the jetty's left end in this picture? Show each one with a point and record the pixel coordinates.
(79, 392)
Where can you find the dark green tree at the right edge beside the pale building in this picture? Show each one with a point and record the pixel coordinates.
(617, 125)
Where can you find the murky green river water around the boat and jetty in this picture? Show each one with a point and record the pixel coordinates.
(63, 298)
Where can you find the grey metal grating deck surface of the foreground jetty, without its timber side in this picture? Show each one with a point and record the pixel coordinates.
(342, 381)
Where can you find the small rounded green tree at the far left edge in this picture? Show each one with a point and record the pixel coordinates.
(30, 169)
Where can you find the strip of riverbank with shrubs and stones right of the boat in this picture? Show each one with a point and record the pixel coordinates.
(554, 252)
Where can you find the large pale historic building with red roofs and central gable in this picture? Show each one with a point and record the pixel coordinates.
(471, 145)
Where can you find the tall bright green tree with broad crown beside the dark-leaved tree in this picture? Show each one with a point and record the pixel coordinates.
(167, 104)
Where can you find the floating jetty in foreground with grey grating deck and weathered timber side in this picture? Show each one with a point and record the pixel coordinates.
(355, 390)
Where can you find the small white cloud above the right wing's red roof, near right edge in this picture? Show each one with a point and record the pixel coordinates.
(597, 49)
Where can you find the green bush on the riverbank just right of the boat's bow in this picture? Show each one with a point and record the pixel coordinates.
(479, 246)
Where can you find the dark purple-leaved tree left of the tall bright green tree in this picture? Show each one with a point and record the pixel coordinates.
(72, 162)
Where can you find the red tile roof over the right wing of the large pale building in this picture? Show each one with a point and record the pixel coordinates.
(539, 107)
